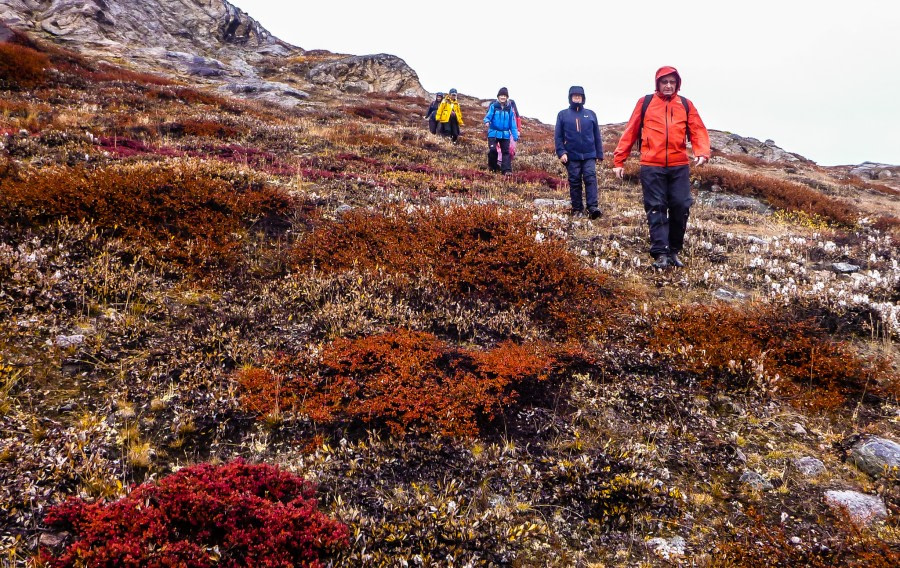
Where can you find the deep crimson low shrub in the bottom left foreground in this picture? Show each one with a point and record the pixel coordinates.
(230, 515)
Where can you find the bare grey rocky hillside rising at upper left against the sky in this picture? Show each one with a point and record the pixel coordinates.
(207, 41)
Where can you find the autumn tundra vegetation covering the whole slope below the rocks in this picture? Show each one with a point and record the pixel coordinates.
(240, 335)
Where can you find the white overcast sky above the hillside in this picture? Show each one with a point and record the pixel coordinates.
(819, 78)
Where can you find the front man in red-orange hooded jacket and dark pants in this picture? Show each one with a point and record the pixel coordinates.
(662, 122)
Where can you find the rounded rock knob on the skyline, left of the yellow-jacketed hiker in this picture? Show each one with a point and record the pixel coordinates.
(367, 74)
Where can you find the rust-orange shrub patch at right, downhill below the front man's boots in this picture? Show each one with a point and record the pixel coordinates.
(738, 347)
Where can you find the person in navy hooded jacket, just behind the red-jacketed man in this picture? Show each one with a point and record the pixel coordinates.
(579, 146)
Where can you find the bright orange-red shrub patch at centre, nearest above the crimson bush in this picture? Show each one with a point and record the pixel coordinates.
(404, 380)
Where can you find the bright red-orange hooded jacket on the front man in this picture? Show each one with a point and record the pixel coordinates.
(663, 142)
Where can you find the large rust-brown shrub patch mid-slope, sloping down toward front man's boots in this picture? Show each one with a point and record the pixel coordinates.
(474, 252)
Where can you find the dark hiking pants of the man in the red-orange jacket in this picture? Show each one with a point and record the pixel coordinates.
(667, 201)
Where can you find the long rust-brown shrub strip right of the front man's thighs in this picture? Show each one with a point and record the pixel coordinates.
(782, 194)
